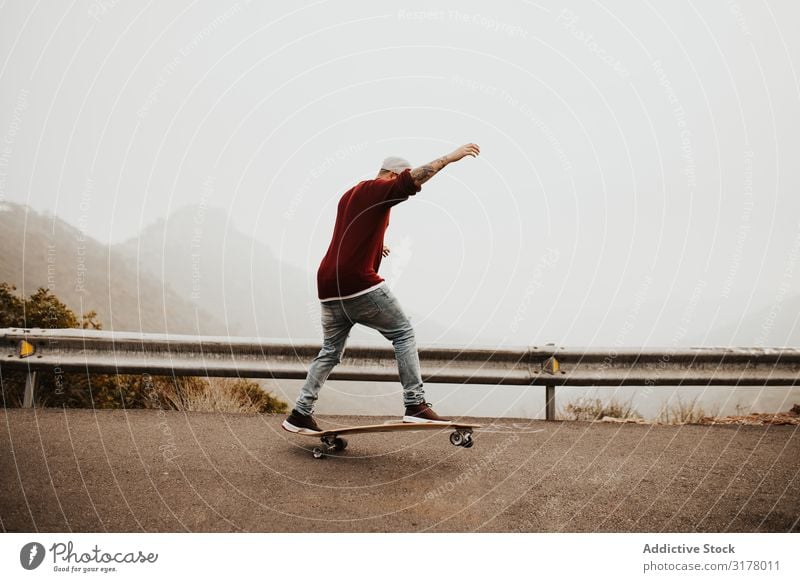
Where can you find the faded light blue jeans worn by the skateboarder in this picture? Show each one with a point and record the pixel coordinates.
(380, 310)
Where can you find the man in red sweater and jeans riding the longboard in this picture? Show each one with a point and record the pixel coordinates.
(351, 291)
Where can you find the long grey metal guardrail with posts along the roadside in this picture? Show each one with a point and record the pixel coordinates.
(88, 351)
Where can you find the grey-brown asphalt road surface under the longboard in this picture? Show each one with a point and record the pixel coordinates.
(85, 471)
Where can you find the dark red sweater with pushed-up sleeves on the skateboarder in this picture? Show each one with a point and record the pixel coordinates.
(354, 255)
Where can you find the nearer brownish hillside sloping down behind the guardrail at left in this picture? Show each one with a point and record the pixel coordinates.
(88, 275)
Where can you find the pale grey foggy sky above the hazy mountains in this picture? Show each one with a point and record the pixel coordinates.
(638, 168)
